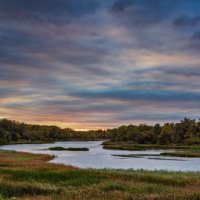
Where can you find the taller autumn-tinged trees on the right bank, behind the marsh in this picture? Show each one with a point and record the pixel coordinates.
(187, 131)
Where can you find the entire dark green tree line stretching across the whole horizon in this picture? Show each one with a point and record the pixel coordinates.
(187, 131)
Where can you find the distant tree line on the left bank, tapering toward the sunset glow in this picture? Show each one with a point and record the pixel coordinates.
(13, 131)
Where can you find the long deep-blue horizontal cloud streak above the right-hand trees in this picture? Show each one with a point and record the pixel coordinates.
(130, 95)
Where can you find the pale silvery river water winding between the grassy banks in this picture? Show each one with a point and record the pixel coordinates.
(97, 157)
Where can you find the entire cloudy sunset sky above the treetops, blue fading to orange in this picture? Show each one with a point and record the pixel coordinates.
(90, 64)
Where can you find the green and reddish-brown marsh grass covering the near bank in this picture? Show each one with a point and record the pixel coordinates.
(27, 176)
